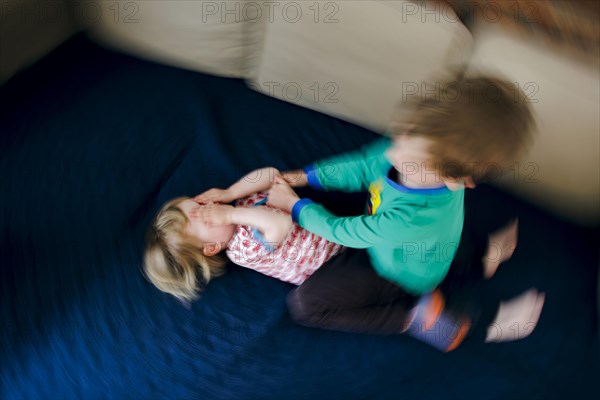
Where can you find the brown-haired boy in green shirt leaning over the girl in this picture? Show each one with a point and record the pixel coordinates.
(414, 216)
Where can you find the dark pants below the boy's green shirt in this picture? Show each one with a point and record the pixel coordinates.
(346, 293)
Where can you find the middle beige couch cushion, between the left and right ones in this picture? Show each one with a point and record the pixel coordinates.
(356, 59)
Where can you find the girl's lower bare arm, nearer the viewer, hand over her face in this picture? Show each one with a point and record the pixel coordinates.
(272, 225)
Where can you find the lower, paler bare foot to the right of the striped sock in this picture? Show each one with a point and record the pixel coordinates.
(516, 318)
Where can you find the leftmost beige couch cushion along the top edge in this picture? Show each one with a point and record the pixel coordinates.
(217, 37)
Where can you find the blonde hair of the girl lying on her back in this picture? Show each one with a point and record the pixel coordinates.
(172, 261)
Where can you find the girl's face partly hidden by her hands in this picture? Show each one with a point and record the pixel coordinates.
(198, 229)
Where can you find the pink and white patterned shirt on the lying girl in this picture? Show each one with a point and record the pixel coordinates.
(296, 258)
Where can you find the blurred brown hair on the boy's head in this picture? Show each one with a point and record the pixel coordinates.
(473, 128)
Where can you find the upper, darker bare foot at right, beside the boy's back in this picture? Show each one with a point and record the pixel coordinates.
(501, 246)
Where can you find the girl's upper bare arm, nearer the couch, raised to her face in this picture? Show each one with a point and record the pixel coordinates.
(256, 181)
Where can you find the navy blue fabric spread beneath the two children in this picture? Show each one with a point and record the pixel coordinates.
(93, 142)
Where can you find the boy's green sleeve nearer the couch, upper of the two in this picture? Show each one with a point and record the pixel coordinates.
(353, 171)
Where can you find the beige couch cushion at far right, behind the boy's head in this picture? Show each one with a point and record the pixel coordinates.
(562, 171)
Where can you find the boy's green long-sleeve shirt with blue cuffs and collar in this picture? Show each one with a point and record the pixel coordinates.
(411, 235)
